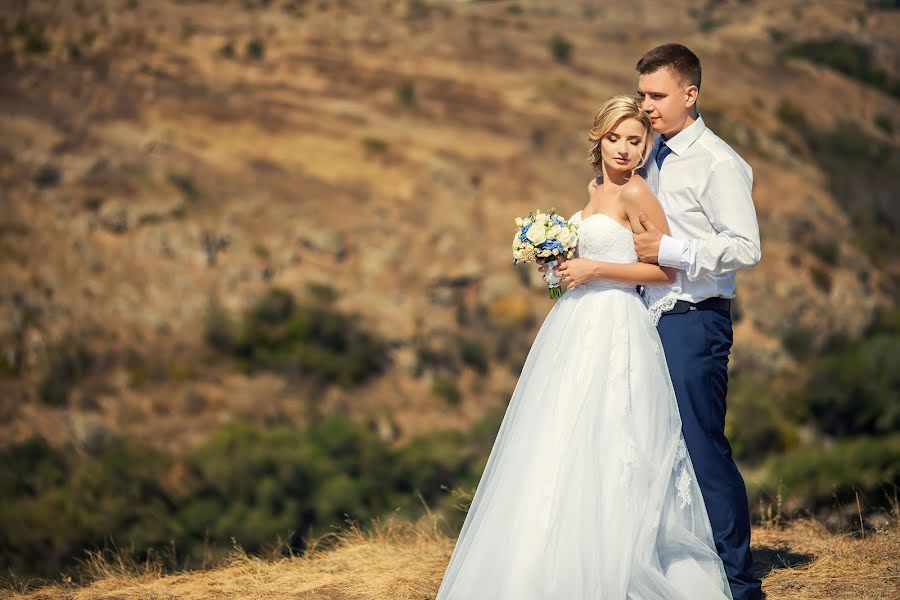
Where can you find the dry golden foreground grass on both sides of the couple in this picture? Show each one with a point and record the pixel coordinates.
(399, 560)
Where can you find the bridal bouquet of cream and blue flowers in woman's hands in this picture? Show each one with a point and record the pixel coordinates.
(545, 235)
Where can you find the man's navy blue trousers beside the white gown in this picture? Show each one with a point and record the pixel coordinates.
(697, 344)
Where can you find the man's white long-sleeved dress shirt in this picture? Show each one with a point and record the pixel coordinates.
(704, 187)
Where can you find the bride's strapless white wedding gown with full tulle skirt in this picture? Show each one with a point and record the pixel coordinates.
(589, 491)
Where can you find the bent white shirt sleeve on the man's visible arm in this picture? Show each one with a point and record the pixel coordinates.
(728, 204)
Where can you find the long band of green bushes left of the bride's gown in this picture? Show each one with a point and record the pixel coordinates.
(252, 484)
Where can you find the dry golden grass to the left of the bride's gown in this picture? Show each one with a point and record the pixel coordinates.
(396, 559)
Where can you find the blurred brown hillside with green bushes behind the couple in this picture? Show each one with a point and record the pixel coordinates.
(241, 292)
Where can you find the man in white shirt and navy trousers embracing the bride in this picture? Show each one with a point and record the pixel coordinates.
(704, 187)
